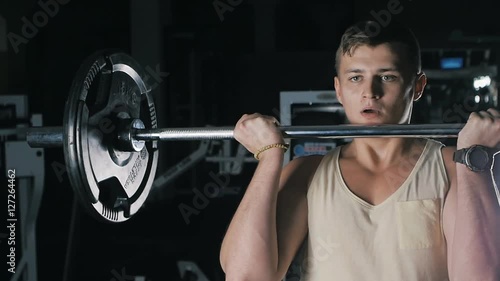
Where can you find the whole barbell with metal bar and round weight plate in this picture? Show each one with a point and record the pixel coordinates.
(109, 135)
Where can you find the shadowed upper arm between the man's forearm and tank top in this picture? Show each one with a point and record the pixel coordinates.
(291, 215)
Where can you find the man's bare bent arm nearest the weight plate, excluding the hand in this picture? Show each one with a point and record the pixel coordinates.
(270, 222)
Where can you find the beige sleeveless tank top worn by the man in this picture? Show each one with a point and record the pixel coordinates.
(400, 239)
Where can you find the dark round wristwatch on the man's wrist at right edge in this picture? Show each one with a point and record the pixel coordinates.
(477, 158)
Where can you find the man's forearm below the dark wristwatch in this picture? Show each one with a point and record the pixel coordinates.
(476, 243)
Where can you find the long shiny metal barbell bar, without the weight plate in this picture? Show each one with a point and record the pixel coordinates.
(44, 137)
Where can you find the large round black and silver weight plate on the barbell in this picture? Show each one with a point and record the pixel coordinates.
(110, 184)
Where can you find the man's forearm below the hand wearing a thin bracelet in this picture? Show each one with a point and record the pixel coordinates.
(250, 244)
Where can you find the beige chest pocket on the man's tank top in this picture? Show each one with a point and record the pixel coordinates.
(419, 224)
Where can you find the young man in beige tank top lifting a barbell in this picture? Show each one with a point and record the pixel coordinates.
(376, 208)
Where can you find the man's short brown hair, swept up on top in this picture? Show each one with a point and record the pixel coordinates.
(372, 33)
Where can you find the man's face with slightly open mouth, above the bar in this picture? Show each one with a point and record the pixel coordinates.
(376, 86)
